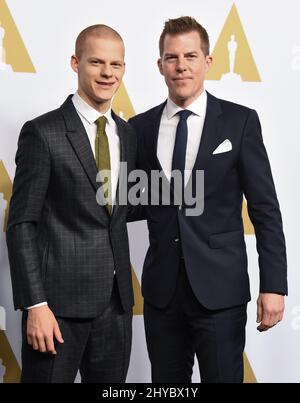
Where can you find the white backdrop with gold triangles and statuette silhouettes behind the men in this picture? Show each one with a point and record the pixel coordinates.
(263, 40)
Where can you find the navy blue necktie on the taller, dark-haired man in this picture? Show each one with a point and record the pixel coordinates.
(181, 142)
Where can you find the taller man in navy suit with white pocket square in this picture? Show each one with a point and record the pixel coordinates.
(195, 281)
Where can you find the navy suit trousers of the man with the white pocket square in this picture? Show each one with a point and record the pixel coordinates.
(185, 328)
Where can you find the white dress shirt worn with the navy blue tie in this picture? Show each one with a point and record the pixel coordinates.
(167, 134)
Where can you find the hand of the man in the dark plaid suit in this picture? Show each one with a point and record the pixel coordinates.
(41, 327)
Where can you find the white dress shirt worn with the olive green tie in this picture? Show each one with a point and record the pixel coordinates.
(88, 116)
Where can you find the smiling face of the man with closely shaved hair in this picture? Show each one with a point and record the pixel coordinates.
(100, 71)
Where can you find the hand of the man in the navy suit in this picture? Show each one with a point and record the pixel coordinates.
(270, 308)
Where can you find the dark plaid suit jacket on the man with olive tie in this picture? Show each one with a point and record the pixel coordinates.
(63, 246)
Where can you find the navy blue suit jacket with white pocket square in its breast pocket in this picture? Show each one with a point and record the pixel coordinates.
(213, 243)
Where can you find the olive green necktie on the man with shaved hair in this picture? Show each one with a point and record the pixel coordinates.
(103, 159)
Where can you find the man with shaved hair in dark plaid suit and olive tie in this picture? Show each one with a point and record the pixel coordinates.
(69, 254)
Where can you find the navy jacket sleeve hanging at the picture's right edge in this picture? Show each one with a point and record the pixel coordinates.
(263, 208)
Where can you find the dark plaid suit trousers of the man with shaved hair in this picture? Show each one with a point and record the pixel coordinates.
(99, 348)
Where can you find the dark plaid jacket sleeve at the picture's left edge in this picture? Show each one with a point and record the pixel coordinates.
(29, 190)
